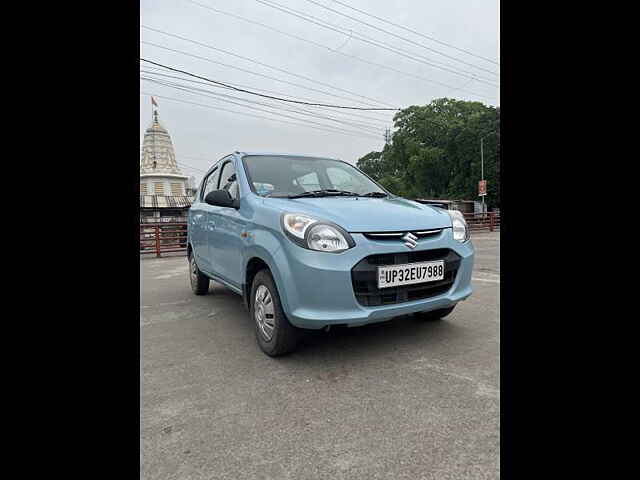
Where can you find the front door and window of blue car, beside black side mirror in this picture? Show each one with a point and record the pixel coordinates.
(225, 242)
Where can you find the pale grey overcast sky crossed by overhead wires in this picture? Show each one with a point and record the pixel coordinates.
(202, 135)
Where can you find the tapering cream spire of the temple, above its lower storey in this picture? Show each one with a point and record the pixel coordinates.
(158, 155)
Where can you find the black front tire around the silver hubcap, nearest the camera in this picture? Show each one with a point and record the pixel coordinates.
(284, 336)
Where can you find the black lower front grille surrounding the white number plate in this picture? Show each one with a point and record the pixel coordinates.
(364, 277)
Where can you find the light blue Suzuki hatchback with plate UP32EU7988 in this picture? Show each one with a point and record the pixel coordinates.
(313, 242)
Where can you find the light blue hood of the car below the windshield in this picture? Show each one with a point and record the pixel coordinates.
(360, 214)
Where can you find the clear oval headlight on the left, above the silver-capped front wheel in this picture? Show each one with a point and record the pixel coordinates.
(314, 234)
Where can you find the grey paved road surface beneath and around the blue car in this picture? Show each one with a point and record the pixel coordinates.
(395, 400)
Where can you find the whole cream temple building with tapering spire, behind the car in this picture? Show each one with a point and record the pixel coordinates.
(165, 193)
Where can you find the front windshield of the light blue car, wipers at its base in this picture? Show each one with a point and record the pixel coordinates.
(284, 176)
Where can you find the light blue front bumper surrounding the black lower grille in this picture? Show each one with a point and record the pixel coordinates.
(316, 288)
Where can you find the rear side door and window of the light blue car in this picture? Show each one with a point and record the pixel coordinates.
(201, 221)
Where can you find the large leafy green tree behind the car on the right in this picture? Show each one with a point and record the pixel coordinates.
(435, 152)
